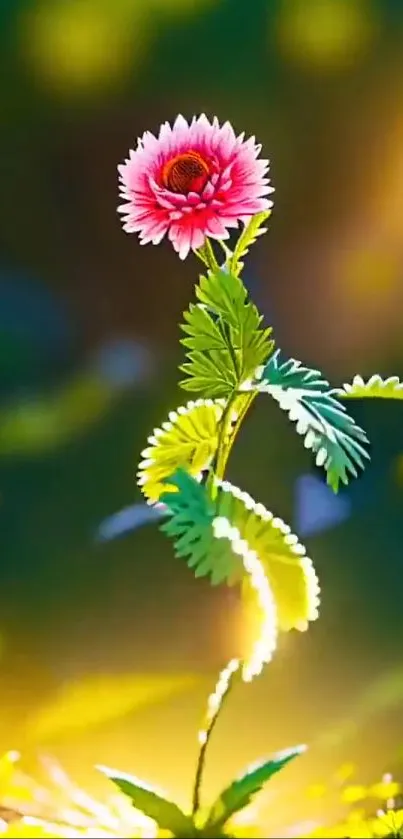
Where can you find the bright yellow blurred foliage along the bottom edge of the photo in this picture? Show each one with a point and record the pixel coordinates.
(56, 806)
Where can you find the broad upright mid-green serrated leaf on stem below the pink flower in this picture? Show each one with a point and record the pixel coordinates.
(224, 337)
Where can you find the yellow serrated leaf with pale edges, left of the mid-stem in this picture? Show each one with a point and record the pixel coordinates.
(188, 439)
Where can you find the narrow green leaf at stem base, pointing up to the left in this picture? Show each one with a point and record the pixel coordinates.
(166, 813)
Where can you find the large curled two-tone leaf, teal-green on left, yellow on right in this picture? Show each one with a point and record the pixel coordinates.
(289, 572)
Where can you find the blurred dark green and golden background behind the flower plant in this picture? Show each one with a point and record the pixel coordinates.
(88, 366)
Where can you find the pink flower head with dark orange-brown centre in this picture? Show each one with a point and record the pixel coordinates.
(192, 182)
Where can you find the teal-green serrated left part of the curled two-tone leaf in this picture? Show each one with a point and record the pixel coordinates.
(191, 527)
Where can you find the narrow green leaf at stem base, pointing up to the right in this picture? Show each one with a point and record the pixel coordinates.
(240, 793)
